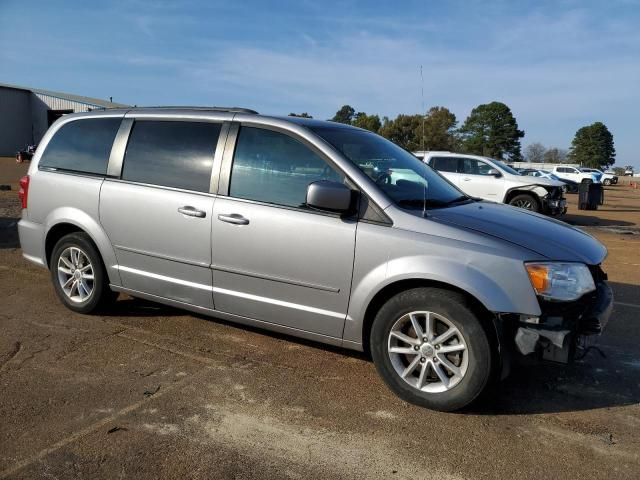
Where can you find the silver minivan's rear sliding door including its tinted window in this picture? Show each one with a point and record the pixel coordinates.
(158, 213)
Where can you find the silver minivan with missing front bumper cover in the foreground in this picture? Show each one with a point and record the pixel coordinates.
(314, 229)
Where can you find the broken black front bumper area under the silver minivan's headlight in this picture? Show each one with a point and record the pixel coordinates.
(563, 327)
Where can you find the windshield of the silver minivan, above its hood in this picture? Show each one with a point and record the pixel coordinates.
(409, 182)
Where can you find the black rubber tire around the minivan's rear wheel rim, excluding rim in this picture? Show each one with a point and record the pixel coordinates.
(101, 294)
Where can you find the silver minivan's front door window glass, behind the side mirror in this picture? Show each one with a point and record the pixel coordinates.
(272, 167)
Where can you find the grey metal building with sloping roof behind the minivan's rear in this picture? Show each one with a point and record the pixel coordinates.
(26, 113)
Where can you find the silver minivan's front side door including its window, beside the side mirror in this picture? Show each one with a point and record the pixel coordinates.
(274, 259)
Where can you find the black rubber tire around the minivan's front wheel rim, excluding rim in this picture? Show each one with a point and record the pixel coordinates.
(457, 309)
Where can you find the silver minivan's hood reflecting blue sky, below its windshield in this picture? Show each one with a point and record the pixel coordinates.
(547, 237)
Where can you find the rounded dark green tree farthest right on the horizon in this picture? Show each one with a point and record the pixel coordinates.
(593, 146)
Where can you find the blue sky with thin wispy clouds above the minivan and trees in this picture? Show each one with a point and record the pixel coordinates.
(558, 65)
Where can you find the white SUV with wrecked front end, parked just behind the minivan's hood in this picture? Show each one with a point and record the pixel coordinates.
(490, 179)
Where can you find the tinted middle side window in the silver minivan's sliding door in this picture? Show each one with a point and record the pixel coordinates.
(171, 154)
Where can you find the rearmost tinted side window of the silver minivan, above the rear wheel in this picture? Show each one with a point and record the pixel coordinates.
(82, 146)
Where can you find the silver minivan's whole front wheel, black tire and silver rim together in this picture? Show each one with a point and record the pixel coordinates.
(431, 348)
